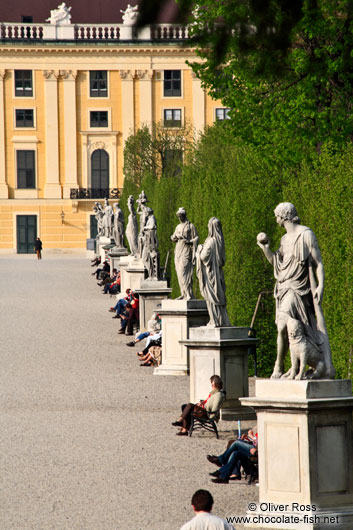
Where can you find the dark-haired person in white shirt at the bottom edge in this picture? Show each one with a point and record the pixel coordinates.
(202, 502)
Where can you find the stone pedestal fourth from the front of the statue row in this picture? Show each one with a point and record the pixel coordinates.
(151, 292)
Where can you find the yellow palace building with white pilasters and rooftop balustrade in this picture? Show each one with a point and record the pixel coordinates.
(70, 95)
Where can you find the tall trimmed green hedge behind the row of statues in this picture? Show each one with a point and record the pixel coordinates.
(232, 181)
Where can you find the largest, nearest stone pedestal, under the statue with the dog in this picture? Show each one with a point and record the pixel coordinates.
(305, 452)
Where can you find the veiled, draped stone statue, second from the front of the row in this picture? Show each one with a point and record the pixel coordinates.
(210, 259)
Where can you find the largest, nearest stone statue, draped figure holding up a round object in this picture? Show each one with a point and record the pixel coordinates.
(300, 276)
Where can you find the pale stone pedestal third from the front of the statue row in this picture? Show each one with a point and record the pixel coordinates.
(178, 316)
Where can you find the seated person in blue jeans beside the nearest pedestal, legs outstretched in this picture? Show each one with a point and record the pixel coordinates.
(236, 456)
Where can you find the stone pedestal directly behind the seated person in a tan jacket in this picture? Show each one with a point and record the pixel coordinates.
(221, 351)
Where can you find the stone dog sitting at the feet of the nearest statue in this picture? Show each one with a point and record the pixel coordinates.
(302, 353)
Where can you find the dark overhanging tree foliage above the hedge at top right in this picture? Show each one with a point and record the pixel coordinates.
(292, 88)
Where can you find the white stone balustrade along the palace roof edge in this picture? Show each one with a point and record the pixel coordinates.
(11, 31)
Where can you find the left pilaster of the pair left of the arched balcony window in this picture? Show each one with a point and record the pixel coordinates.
(52, 188)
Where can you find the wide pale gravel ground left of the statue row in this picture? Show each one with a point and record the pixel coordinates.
(86, 441)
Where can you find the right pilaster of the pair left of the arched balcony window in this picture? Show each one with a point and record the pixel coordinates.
(70, 128)
